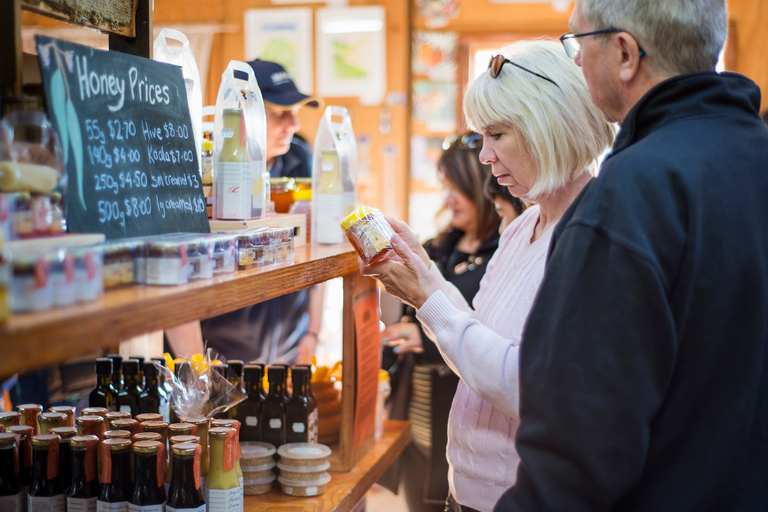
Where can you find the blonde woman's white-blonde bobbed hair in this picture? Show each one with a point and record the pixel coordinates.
(559, 126)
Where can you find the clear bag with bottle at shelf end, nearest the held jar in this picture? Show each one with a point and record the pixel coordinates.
(334, 175)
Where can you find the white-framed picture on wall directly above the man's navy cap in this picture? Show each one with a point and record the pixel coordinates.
(283, 36)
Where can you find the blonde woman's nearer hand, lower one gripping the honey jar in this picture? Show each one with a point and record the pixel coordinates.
(404, 275)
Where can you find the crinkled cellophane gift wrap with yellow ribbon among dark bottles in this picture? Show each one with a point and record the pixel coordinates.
(197, 390)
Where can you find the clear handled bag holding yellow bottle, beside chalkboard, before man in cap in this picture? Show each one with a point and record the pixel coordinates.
(239, 142)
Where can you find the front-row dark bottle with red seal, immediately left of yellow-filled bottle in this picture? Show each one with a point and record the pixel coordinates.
(186, 491)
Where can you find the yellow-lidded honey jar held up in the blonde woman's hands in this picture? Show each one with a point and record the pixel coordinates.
(369, 233)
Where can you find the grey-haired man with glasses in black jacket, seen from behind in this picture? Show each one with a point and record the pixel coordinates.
(644, 366)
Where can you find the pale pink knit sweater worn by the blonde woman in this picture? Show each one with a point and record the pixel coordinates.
(482, 347)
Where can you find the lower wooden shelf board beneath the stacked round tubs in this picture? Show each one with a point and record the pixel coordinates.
(345, 489)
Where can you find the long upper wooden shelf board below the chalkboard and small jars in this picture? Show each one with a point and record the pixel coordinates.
(38, 339)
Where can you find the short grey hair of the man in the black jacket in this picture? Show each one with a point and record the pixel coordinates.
(679, 36)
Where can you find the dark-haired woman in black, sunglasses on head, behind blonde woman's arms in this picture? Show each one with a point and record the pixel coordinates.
(461, 252)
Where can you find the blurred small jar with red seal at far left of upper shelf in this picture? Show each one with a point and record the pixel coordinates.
(31, 284)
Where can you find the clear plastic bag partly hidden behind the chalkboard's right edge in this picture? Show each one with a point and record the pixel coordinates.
(183, 57)
